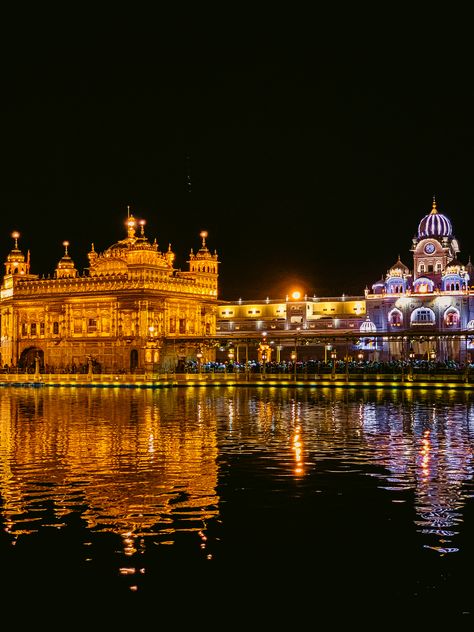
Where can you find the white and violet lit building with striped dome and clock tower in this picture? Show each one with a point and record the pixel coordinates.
(435, 297)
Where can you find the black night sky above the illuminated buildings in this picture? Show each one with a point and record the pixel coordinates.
(308, 159)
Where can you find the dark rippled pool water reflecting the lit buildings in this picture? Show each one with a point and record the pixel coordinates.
(296, 497)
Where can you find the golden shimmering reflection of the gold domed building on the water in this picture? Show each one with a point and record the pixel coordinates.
(134, 464)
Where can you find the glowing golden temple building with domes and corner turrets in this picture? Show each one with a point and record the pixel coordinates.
(131, 310)
